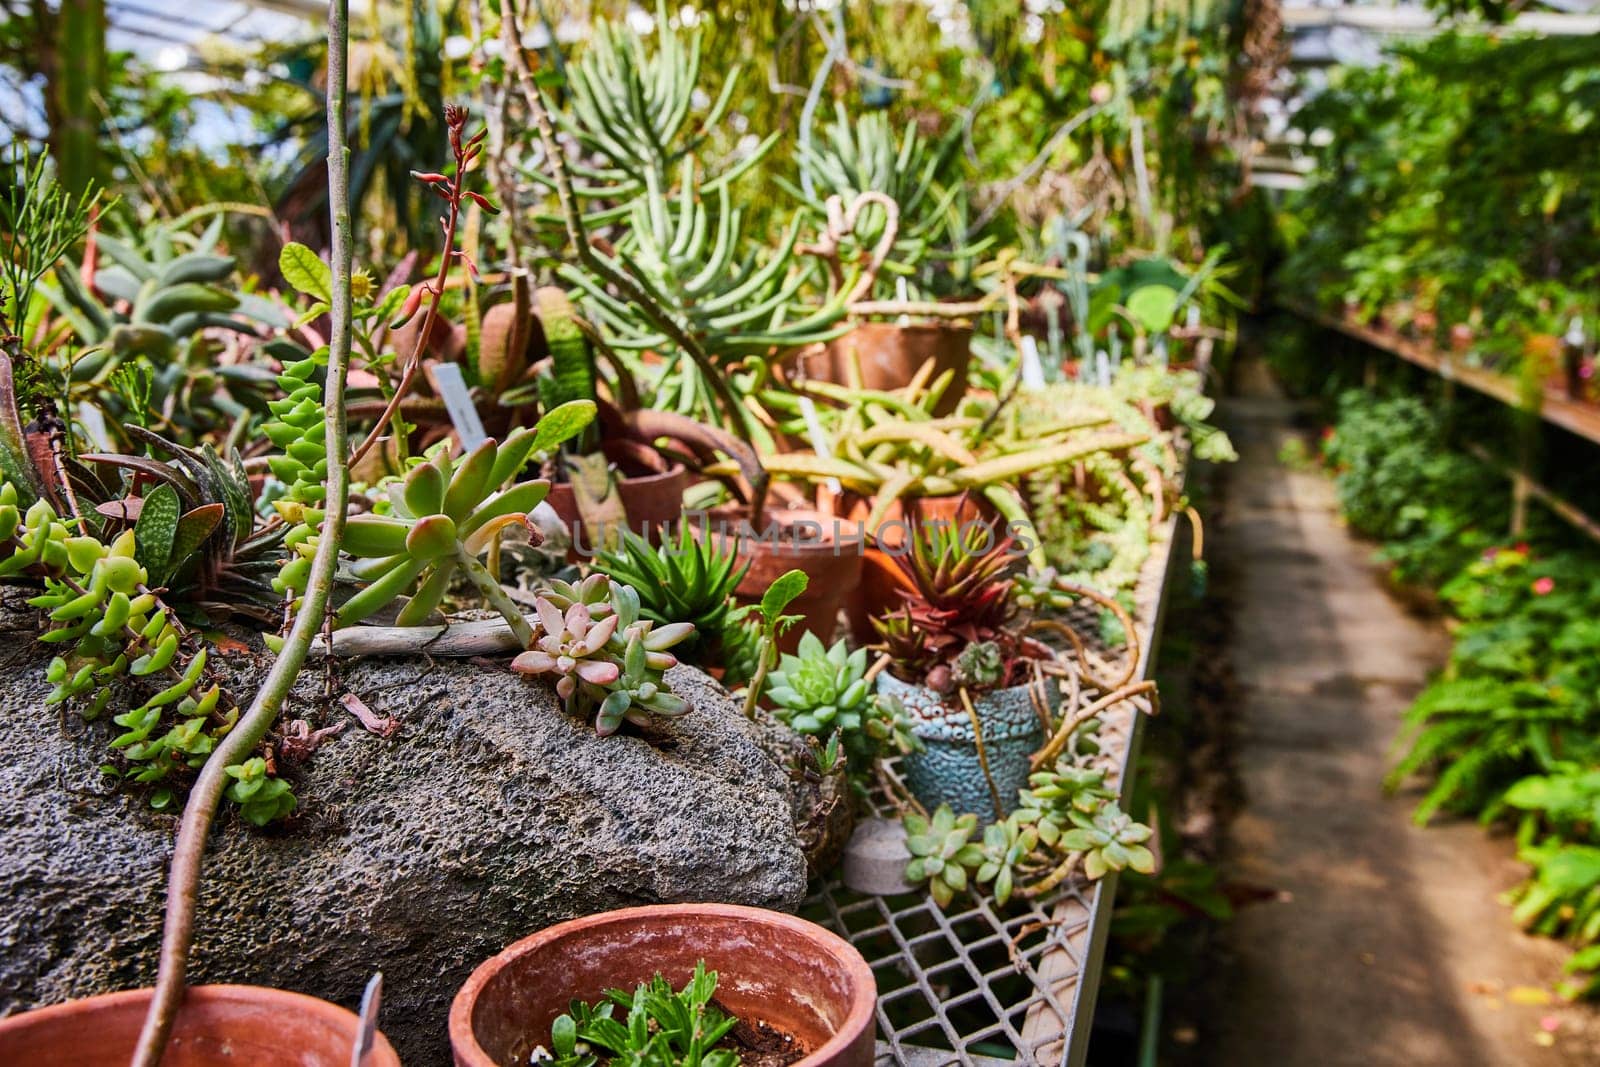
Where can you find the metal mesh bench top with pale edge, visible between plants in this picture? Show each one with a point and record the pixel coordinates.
(977, 985)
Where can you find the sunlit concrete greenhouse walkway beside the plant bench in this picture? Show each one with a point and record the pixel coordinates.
(1385, 943)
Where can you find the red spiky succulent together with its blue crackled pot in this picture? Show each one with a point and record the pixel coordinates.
(961, 663)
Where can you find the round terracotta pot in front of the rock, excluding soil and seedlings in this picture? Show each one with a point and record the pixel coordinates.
(770, 969)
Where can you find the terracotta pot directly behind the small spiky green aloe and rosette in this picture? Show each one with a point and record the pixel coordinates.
(810, 541)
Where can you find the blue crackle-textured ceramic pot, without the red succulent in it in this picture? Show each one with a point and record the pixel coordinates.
(948, 770)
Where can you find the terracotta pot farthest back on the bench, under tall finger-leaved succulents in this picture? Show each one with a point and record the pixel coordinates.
(890, 356)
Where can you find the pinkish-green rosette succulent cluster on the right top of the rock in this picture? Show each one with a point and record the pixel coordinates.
(602, 655)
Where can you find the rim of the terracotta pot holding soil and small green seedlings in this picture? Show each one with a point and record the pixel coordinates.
(863, 1005)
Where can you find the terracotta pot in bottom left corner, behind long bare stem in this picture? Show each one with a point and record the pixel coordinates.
(218, 1025)
